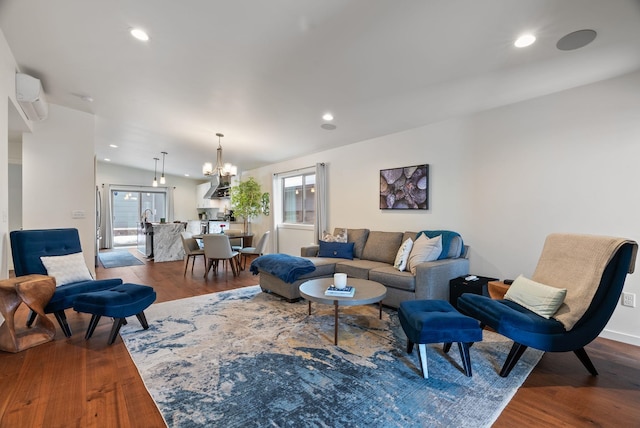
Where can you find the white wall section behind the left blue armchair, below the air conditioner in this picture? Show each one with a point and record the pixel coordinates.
(58, 175)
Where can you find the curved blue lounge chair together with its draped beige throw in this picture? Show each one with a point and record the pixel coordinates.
(567, 261)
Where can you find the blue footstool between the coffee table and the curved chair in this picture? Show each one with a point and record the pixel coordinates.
(436, 321)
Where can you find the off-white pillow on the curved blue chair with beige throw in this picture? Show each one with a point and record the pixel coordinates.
(542, 299)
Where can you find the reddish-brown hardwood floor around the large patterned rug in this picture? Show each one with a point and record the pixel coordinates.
(77, 383)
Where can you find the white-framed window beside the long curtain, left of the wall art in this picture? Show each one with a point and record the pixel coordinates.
(298, 199)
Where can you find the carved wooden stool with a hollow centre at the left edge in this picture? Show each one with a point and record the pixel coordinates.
(35, 291)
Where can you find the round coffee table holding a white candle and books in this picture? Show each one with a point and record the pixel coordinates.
(367, 292)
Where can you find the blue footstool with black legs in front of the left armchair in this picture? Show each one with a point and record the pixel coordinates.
(118, 302)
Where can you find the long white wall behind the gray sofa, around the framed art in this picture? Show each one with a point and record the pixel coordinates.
(506, 178)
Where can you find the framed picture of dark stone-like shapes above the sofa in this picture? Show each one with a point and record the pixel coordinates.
(404, 188)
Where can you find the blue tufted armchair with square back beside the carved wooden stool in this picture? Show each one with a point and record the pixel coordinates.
(27, 246)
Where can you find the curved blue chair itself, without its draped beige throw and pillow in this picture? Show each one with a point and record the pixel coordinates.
(527, 329)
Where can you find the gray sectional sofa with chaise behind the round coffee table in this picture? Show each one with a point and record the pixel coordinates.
(374, 254)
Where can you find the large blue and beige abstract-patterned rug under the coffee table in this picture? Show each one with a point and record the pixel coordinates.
(244, 358)
